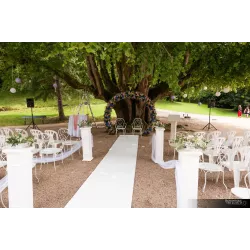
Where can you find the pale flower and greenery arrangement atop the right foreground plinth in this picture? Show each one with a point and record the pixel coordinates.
(189, 141)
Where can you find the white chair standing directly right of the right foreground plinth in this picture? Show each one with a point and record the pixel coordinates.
(214, 167)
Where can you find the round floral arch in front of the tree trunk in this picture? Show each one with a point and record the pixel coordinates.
(134, 96)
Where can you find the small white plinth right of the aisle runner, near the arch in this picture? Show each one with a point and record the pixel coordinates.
(158, 145)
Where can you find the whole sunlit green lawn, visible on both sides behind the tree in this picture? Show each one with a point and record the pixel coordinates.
(15, 104)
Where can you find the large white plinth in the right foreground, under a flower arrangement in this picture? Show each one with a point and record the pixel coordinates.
(187, 176)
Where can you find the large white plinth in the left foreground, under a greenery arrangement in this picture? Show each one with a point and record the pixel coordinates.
(20, 185)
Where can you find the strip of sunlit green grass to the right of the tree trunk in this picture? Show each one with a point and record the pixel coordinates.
(194, 108)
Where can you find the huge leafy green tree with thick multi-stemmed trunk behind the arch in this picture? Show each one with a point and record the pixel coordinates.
(156, 69)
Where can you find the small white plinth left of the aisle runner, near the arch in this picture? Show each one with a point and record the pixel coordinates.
(86, 143)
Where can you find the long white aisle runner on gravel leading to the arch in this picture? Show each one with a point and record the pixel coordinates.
(111, 183)
